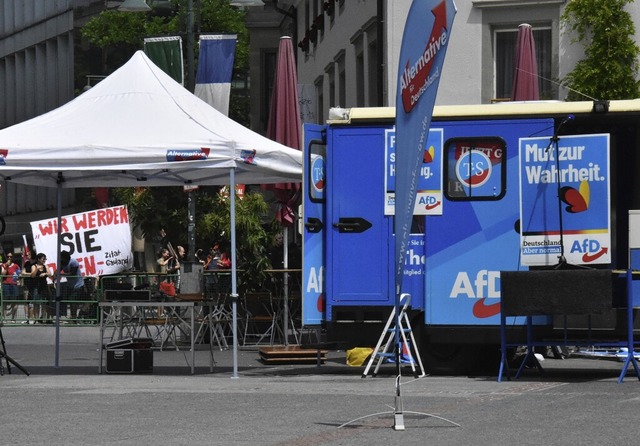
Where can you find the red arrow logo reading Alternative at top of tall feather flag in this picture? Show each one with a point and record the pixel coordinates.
(415, 77)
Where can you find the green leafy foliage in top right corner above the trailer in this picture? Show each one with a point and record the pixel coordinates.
(610, 67)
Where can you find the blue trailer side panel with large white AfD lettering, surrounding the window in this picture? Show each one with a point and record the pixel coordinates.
(475, 239)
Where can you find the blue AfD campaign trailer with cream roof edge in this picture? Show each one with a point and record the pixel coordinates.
(467, 227)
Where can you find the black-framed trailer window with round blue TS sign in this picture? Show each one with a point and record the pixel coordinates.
(475, 168)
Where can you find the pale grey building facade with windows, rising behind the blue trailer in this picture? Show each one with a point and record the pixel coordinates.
(347, 51)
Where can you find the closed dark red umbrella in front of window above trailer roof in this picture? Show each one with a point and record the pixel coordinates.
(525, 77)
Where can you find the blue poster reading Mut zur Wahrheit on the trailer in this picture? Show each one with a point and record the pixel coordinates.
(565, 202)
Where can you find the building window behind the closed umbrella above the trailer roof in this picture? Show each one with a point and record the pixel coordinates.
(505, 55)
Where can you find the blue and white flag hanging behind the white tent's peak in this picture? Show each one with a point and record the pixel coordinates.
(215, 70)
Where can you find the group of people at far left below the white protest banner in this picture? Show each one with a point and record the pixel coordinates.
(36, 281)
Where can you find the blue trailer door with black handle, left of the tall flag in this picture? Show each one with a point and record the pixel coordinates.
(358, 232)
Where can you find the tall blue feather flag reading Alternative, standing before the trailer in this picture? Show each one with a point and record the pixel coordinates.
(424, 44)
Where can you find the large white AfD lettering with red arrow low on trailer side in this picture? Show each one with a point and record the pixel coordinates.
(485, 285)
